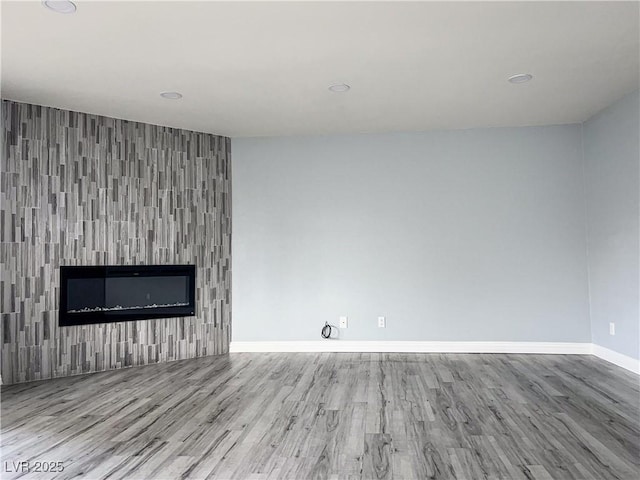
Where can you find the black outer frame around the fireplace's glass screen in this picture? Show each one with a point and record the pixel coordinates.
(66, 318)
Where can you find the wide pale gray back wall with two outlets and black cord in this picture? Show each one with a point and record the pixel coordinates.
(460, 235)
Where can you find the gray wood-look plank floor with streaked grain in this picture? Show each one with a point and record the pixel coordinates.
(316, 416)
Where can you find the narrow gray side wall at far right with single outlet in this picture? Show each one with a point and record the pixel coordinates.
(612, 156)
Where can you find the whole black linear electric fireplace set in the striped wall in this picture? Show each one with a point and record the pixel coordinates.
(121, 293)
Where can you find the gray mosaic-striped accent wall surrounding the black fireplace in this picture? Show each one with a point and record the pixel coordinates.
(80, 189)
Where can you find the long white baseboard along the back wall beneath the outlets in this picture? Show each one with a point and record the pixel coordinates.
(412, 347)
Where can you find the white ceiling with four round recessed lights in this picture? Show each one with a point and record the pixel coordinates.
(263, 68)
